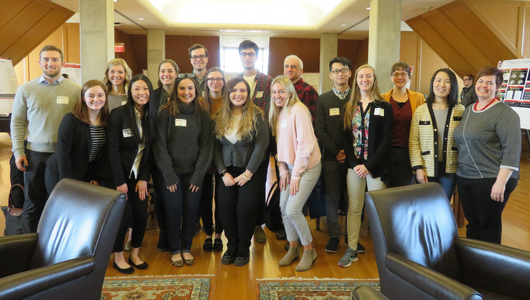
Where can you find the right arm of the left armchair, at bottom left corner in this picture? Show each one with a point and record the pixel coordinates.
(25, 284)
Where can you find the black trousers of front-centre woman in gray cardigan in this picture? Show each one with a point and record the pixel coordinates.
(239, 206)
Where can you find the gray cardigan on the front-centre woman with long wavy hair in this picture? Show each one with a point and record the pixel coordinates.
(247, 153)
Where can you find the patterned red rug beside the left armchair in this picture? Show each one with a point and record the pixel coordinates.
(156, 287)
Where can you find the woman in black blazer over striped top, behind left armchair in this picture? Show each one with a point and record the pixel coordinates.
(81, 138)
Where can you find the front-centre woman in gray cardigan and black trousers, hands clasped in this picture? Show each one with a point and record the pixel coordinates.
(240, 156)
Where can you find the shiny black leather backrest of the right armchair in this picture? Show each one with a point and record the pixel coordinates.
(417, 223)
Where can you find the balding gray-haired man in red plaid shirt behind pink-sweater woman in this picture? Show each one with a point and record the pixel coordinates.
(293, 67)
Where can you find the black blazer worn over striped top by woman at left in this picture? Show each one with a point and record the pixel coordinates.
(71, 156)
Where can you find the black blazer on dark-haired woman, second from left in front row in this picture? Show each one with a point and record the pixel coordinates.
(122, 148)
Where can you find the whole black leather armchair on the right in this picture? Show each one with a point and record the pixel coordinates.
(420, 256)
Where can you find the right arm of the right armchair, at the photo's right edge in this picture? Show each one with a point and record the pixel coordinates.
(496, 268)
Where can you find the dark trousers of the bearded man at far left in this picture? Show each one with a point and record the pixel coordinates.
(35, 192)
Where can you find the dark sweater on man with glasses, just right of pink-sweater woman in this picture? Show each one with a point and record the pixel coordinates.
(329, 123)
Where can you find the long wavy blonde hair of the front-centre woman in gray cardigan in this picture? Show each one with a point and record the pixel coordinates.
(222, 117)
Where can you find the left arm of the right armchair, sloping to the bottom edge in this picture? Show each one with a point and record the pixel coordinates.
(429, 281)
